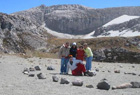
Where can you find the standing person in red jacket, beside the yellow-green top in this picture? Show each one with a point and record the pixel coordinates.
(80, 53)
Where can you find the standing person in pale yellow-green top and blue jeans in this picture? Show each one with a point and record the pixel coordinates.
(89, 57)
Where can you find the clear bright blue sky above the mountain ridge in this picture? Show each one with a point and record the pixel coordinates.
(11, 6)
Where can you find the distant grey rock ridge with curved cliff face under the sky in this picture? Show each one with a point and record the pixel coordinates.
(75, 19)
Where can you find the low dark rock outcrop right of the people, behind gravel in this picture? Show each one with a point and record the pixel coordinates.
(119, 55)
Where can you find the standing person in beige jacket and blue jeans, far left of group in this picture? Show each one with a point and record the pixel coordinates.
(64, 55)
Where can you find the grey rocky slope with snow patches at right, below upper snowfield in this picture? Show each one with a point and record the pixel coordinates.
(126, 29)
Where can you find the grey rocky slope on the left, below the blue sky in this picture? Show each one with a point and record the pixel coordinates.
(18, 34)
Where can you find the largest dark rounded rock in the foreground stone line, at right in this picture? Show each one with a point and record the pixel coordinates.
(103, 84)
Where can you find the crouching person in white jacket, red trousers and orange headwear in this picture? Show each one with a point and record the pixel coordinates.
(77, 67)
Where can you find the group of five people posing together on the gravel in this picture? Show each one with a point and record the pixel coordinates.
(72, 58)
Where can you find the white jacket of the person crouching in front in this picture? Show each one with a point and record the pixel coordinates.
(74, 65)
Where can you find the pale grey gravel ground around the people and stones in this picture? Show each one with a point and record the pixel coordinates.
(14, 82)
